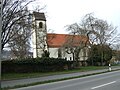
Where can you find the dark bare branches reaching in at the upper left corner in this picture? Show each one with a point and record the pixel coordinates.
(12, 10)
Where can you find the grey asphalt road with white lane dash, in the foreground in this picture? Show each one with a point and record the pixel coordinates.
(106, 81)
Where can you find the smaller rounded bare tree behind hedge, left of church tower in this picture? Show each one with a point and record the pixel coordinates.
(20, 46)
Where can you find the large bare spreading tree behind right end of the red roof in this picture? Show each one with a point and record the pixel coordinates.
(96, 30)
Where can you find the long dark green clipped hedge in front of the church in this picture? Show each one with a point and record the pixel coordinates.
(29, 65)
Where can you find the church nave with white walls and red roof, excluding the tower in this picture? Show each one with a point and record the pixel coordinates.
(63, 45)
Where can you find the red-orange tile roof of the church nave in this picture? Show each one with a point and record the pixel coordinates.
(58, 40)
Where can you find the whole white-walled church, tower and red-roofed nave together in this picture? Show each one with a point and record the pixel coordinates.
(58, 45)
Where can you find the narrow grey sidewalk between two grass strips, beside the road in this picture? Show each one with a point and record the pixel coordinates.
(53, 77)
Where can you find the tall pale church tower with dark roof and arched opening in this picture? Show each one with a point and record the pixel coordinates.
(39, 34)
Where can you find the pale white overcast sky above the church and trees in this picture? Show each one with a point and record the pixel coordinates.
(60, 13)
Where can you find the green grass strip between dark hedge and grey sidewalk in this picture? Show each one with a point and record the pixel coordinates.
(9, 76)
